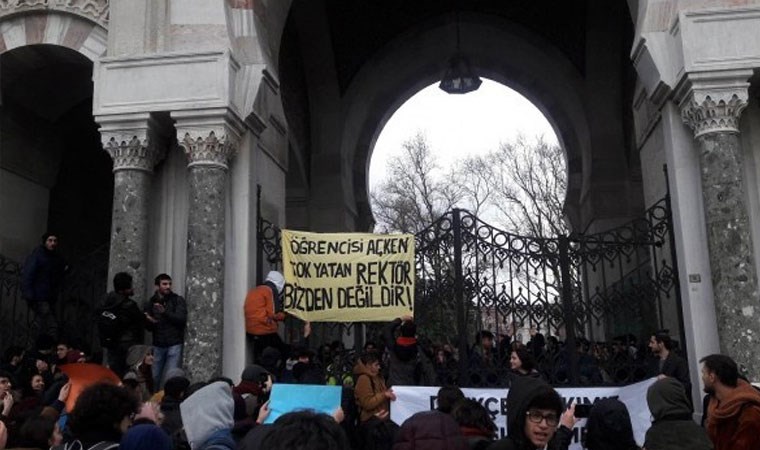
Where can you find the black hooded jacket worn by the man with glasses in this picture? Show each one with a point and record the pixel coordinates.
(521, 394)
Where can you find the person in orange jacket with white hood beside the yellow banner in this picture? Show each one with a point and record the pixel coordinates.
(262, 316)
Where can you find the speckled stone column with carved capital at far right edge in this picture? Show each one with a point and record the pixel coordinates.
(712, 107)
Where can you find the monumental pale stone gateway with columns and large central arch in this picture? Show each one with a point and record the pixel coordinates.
(201, 102)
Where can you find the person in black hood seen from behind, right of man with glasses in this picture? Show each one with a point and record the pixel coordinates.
(609, 427)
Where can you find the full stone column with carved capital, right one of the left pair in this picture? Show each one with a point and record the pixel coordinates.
(210, 141)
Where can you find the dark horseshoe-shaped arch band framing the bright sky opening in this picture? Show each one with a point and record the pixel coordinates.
(507, 54)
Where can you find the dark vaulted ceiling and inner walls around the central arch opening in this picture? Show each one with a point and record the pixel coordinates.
(340, 90)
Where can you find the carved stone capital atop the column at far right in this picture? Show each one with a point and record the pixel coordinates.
(713, 103)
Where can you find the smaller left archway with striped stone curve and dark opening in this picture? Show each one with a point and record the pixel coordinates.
(54, 174)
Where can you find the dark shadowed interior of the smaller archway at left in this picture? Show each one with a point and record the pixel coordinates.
(54, 174)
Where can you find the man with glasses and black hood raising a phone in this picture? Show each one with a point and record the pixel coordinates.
(535, 418)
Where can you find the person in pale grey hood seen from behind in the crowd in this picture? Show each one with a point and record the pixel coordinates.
(207, 415)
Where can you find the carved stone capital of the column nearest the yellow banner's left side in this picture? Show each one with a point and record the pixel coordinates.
(208, 138)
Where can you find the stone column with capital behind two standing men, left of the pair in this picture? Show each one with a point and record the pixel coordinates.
(131, 145)
